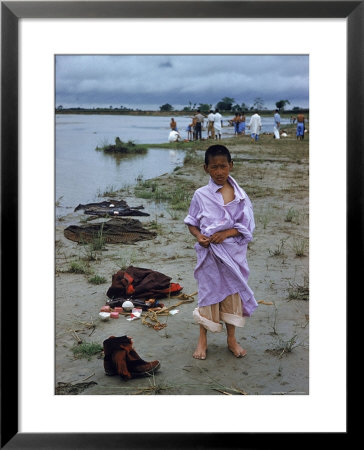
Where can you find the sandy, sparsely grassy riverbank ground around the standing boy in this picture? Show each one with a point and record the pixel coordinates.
(274, 173)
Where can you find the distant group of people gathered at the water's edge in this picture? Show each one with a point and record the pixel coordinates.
(214, 126)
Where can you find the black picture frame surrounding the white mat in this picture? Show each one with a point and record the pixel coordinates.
(11, 12)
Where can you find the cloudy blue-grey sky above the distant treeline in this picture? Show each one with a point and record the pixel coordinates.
(147, 82)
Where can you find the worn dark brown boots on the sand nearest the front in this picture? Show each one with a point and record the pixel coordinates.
(120, 358)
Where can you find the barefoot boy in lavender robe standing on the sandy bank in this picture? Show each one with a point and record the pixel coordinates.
(221, 218)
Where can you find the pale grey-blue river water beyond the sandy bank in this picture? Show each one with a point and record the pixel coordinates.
(82, 173)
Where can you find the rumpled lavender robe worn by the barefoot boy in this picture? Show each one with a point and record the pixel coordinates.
(222, 269)
